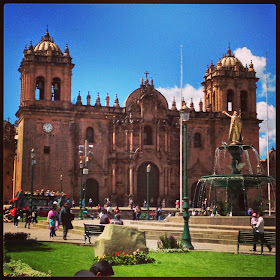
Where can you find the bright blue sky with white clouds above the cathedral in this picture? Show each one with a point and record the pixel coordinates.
(113, 45)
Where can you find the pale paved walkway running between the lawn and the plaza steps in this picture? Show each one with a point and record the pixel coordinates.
(43, 235)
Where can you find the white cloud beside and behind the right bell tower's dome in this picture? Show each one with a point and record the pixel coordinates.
(245, 56)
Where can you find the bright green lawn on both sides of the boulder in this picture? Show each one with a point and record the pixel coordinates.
(66, 259)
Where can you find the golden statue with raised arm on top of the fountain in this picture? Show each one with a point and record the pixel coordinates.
(235, 131)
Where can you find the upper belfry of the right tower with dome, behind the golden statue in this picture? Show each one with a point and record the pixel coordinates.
(229, 86)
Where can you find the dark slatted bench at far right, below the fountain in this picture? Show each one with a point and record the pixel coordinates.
(247, 237)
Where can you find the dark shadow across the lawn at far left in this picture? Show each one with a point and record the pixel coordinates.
(25, 245)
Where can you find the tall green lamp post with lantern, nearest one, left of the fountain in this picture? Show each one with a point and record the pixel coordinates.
(186, 237)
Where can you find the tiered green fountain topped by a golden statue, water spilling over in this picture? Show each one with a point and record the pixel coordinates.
(236, 176)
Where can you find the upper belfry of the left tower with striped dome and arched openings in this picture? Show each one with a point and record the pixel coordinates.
(46, 75)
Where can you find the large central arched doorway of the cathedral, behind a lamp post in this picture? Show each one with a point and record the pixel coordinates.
(142, 183)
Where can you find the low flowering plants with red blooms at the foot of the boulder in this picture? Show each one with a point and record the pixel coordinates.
(138, 257)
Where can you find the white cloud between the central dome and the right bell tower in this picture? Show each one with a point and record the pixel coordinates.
(188, 92)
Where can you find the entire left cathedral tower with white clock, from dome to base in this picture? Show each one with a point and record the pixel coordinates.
(45, 100)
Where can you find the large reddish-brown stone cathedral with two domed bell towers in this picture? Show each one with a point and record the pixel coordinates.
(122, 140)
